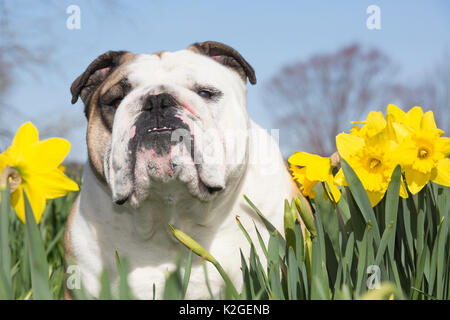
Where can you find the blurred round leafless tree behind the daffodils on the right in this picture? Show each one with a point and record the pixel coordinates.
(313, 100)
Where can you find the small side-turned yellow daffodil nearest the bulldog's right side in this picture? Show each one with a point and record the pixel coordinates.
(313, 169)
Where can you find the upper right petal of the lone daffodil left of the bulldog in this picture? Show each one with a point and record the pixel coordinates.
(48, 154)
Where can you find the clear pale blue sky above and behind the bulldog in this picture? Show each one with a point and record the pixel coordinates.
(268, 34)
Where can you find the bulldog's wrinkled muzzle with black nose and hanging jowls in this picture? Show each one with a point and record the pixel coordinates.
(156, 140)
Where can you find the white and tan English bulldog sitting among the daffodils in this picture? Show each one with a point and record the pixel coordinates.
(170, 142)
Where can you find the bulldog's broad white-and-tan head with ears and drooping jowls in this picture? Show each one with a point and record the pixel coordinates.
(170, 117)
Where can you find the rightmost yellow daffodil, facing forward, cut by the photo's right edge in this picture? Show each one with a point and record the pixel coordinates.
(423, 153)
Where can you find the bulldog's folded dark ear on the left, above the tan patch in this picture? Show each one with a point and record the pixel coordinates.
(99, 69)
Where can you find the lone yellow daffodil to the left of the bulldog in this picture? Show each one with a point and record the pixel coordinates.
(39, 165)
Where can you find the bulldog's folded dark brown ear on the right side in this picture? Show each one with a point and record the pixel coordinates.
(227, 56)
